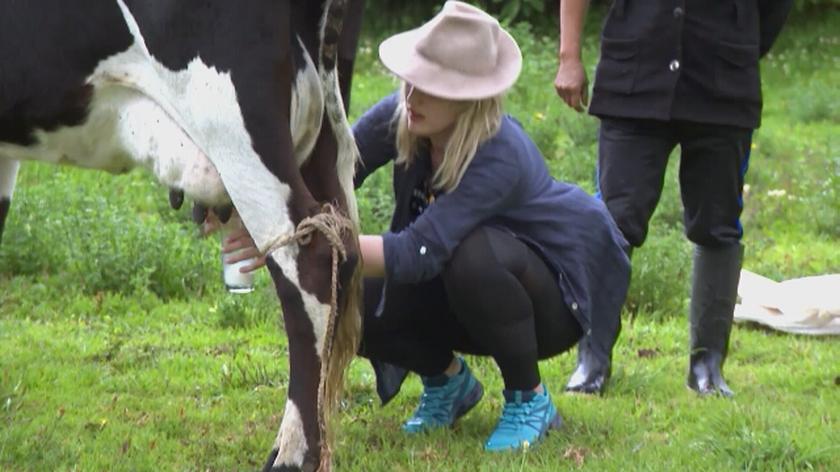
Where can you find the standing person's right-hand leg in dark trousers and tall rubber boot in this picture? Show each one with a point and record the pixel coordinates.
(712, 168)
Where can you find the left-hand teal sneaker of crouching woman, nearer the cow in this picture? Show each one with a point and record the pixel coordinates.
(444, 400)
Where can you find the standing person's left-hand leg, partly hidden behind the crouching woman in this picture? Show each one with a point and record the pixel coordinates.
(632, 158)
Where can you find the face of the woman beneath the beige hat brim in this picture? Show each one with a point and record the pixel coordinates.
(429, 116)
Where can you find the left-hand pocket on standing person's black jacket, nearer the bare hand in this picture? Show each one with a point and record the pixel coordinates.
(616, 71)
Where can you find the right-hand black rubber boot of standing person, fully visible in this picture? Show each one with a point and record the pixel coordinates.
(714, 288)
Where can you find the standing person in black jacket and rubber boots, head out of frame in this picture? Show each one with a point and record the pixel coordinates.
(679, 72)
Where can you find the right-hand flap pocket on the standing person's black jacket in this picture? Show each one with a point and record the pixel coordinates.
(736, 72)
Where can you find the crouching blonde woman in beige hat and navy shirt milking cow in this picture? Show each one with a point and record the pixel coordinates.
(486, 254)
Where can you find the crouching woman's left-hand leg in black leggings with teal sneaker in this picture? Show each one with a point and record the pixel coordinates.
(415, 330)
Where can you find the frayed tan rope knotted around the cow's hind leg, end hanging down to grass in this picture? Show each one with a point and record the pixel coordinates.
(332, 224)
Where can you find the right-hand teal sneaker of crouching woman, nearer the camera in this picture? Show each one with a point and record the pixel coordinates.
(526, 418)
